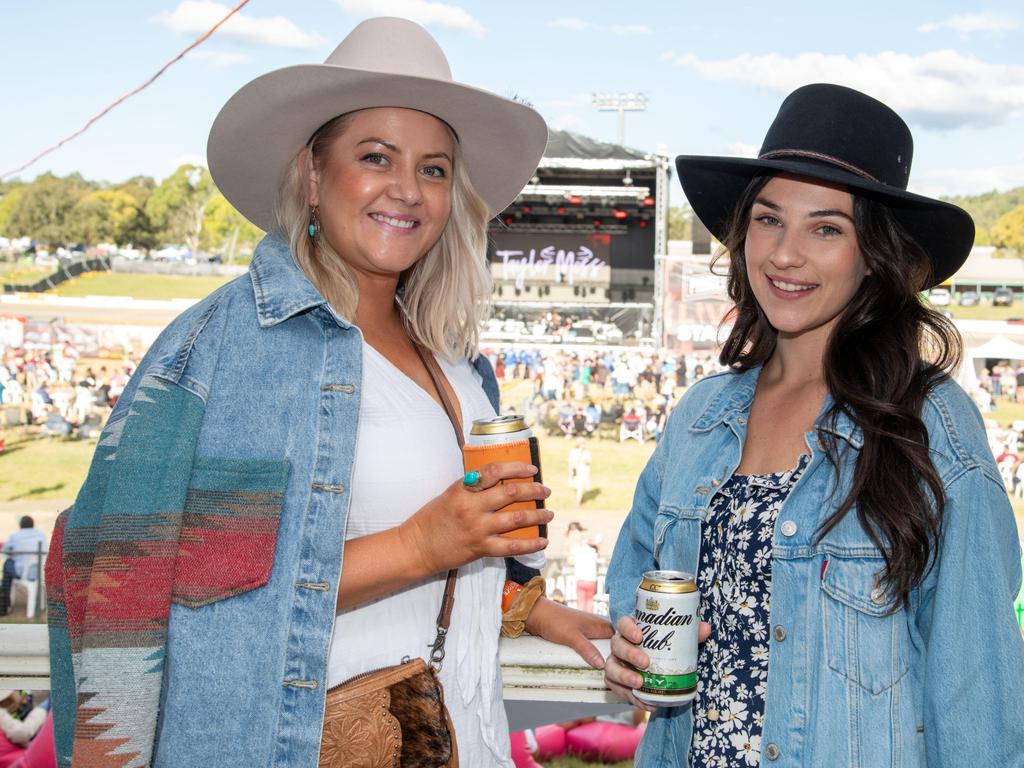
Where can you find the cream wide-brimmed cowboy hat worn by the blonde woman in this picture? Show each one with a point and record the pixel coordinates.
(381, 63)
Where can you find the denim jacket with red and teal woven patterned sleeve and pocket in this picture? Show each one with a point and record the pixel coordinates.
(226, 467)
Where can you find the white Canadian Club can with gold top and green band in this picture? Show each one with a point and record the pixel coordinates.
(667, 614)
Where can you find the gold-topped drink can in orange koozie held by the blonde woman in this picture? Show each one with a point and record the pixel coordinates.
(506, 439)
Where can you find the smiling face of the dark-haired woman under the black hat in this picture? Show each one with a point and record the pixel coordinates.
(803, 261)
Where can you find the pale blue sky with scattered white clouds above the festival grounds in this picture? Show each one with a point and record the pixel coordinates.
(714, 72)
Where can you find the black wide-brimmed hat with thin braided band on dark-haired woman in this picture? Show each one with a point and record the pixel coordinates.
(836, 135)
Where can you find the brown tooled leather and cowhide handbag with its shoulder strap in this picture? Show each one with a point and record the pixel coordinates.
(396, 717)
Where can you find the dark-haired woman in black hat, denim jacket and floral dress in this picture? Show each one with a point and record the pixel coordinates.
(833, 493)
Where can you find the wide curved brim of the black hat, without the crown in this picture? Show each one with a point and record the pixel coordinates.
(714, 185)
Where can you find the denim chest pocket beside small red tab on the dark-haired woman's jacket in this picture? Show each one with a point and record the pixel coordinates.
(865, 644)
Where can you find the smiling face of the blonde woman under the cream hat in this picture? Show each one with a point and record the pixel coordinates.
(385, 190)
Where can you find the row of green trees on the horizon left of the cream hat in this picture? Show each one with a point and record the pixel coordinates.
(186, 208)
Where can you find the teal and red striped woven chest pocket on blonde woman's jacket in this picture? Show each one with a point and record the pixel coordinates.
(229, 529)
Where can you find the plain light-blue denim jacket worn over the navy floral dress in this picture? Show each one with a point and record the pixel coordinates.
(941, 684)
